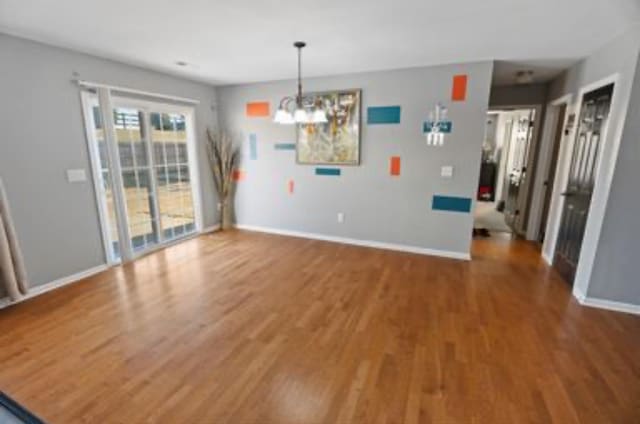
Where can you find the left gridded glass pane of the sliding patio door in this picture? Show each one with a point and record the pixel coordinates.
(135, 165)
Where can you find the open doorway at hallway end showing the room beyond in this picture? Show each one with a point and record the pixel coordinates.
(502, 191)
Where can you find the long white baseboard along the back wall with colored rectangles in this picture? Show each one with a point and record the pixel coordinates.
(358, 242)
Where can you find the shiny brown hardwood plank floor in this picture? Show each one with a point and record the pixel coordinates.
(251, 328)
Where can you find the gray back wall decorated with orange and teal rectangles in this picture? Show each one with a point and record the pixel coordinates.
(377, 207)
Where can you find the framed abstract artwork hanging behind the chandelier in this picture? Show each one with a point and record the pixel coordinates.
(337, 141)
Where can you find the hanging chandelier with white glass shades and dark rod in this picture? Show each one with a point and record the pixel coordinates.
(300, 109)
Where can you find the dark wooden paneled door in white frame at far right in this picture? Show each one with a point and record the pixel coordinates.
(582, 173)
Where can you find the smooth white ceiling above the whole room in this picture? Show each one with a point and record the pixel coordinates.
(234, 41)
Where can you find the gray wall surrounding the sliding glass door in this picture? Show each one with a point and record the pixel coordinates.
(42, 135)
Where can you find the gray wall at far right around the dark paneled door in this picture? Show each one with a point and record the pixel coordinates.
(614, 275)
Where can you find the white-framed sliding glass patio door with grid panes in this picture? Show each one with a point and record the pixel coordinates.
(143, 158)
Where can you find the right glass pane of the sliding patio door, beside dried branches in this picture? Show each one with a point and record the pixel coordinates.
(172, 170)
